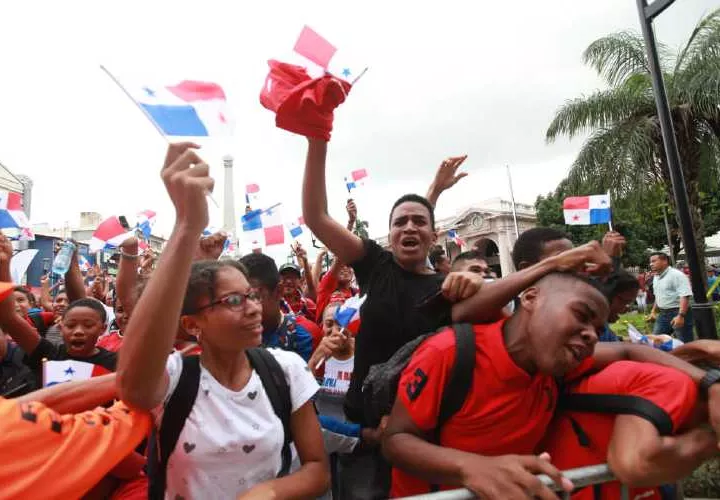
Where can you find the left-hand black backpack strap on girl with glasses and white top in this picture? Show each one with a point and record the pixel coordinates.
(162, 442)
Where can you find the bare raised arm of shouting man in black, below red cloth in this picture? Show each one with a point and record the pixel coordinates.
(343, 243)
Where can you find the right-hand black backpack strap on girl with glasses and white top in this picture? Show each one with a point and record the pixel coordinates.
(273, 379)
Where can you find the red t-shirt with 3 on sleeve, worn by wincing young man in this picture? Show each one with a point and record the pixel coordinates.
(507, 411)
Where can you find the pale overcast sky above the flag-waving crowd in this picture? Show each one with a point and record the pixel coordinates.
(446, 78)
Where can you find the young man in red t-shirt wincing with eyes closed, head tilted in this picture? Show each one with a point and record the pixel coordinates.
(488, 445)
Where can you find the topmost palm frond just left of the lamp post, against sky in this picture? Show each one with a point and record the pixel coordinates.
(618, 56)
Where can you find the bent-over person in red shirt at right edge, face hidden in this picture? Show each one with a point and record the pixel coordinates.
(653, 402)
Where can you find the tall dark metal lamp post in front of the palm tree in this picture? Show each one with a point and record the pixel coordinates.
(703, 312)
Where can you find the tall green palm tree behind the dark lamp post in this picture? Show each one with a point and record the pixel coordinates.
(624, 153)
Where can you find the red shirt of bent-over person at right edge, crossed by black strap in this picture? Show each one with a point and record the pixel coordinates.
(671, 390)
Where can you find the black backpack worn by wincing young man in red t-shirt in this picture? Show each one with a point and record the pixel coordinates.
(381, 384)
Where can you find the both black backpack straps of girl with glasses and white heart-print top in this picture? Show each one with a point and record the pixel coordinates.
(162, 441)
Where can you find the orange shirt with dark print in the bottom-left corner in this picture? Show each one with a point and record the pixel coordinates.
(63, 456)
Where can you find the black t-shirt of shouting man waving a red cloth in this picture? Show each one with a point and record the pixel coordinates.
(390, 316)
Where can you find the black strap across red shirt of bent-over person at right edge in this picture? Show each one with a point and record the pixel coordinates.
(616, 404)
